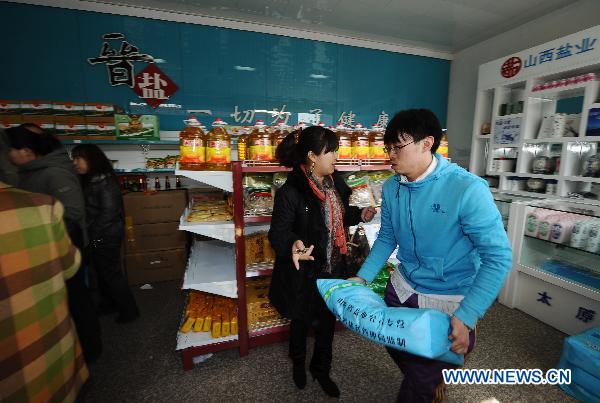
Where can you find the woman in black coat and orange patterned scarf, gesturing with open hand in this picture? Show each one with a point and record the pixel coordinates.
(308, 233)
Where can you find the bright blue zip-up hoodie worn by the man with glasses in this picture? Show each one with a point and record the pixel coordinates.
(450, 238)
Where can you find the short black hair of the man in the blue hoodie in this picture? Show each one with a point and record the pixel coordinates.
(414, 124)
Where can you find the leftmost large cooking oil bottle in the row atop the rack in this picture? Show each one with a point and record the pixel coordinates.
(192, 145)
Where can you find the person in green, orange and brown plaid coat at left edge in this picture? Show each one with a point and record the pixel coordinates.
(40, 355)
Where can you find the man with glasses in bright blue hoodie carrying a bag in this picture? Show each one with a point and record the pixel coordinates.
(453, 249)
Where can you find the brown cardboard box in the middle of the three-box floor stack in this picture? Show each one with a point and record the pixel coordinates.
(154, 237)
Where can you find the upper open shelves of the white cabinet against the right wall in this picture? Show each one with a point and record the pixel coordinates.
(517, 141)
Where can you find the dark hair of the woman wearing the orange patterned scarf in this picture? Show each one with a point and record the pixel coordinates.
(294, 148)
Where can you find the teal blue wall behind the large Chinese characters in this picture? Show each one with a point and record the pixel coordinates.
(49, 61)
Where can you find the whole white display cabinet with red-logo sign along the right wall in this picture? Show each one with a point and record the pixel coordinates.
(543, 88)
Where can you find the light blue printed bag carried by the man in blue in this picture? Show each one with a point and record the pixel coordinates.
(423, 332)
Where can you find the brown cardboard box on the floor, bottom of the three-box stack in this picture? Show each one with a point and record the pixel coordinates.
(153, 266)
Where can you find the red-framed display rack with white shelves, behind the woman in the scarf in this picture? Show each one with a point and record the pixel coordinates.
(219, 266)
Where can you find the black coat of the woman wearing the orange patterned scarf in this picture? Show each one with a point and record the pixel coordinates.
(297, 214)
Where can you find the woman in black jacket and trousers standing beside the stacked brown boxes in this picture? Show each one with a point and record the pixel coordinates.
(105, 225)
